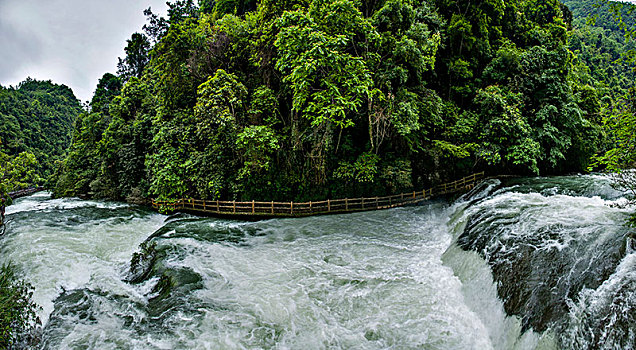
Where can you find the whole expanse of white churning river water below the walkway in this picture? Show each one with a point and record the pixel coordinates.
(542, 263)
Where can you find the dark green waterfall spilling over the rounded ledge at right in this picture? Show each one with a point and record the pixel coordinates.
(561, 257)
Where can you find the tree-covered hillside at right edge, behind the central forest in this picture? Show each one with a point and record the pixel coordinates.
(604, 39)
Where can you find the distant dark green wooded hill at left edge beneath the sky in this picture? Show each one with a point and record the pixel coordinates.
(36, 117)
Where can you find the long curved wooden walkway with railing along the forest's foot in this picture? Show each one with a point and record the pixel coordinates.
(329, 206)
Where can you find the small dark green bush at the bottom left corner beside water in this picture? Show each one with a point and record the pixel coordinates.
(18, 318)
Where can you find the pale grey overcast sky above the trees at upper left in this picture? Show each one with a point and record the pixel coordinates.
(71, 42)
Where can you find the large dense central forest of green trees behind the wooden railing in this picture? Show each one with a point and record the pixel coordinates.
(306, 99)
